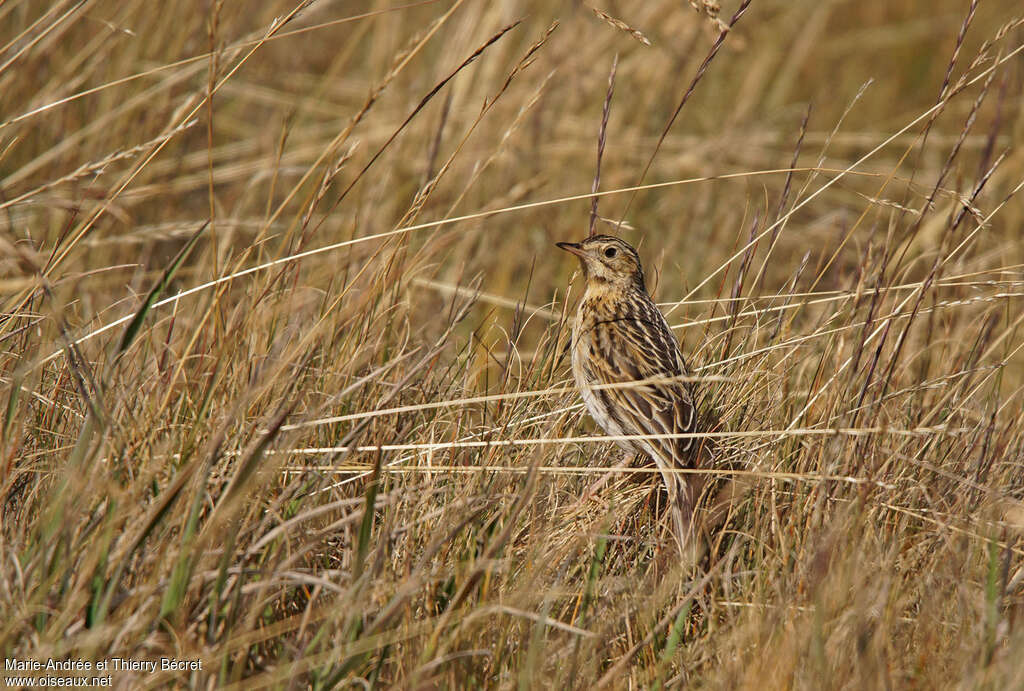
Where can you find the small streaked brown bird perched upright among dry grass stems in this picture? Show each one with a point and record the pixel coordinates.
(621, 337)
